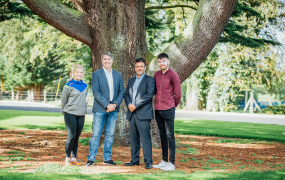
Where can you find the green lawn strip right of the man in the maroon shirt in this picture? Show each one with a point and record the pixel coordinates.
(231, 129)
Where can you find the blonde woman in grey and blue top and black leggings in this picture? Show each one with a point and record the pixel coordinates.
(74, 108)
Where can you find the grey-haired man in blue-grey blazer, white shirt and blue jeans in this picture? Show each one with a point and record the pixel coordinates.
(108, 91)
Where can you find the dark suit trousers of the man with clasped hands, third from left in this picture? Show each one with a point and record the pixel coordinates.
(140, 131)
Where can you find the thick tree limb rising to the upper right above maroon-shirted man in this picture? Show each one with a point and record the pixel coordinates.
(190, 49)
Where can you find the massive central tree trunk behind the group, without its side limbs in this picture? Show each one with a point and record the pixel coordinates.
(118, 27)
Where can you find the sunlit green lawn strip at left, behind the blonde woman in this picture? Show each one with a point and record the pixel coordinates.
(14, 119)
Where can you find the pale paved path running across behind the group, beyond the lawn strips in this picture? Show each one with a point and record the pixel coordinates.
(234, 117)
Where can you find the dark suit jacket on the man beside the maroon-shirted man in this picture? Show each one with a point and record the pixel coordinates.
(143, 99)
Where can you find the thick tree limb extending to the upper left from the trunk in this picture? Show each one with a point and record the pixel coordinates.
(71, 22)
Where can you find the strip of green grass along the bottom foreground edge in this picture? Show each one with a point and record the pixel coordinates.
(177, 175)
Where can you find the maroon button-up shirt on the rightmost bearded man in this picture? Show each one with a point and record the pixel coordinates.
(168, 90)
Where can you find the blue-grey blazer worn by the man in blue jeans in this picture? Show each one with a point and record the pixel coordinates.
(100, 89)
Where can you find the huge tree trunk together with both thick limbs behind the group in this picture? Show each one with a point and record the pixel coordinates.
(118, 26)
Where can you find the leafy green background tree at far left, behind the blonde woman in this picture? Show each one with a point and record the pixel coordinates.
(35, 54)
